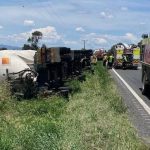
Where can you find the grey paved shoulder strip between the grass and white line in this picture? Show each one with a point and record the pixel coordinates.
(137, 115)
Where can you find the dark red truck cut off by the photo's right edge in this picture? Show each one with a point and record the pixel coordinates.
(145, 47)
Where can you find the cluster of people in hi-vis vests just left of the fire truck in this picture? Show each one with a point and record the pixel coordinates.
(108, 60)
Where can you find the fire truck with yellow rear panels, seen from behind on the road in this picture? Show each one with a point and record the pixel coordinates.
(132, 54)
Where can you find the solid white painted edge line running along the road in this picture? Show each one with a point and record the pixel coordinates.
(145, 106)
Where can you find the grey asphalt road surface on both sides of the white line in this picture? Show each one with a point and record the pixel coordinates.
(137, 114)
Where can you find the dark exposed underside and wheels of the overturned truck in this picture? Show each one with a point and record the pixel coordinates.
(52, 67)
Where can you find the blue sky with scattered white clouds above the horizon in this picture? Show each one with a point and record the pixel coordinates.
(100, 23)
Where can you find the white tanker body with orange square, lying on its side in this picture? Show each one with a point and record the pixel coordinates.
(12, 61)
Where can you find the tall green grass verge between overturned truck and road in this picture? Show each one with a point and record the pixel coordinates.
(94, 118)
